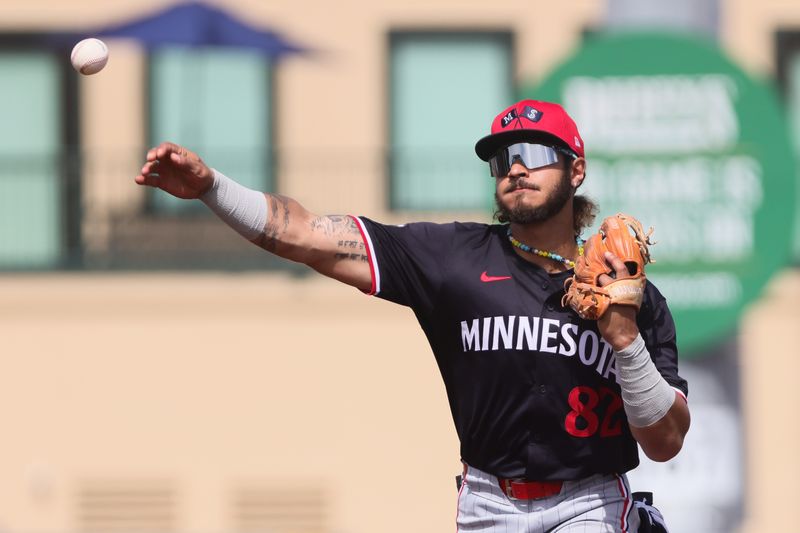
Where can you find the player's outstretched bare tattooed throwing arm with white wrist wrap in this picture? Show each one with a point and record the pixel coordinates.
(331, 245)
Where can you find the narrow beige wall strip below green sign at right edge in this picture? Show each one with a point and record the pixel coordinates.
(769, 366)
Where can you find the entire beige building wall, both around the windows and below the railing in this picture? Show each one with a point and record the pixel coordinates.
(214, 382)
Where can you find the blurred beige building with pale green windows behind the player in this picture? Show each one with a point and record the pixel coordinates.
(165, 375)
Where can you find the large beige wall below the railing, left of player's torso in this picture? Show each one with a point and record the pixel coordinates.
(217, 382)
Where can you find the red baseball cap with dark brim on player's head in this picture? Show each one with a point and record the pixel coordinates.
(531, 120)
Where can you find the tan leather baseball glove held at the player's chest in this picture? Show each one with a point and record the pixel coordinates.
(623, 236)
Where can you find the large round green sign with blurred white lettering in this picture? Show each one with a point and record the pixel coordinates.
(681, 138)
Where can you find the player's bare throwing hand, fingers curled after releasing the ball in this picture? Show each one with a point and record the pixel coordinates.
(176, 170)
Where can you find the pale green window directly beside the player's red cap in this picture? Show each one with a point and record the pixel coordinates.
(445, 89)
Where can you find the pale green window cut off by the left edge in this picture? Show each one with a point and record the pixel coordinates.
(31, 210)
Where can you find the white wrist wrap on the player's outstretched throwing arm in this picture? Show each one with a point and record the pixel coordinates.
(243, 209)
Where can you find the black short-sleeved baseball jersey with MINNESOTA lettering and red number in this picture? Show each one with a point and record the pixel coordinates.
(531, 386)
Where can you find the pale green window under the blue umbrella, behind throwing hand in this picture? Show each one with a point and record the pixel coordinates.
(215, 102)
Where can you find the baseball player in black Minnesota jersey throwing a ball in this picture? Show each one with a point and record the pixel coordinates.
(548, 407)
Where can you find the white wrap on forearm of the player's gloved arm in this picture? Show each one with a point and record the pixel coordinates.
(646, 396)
